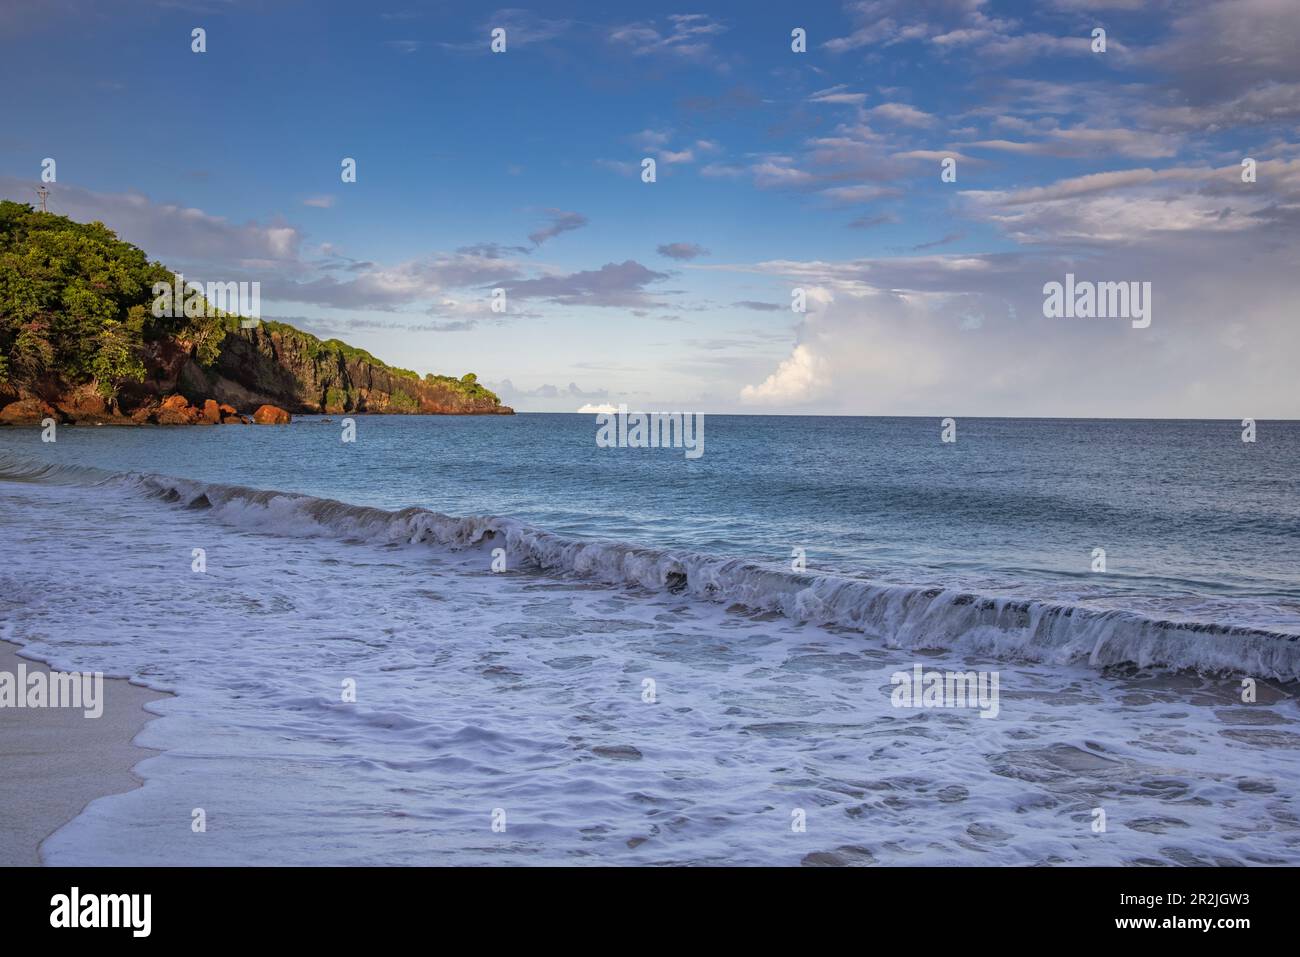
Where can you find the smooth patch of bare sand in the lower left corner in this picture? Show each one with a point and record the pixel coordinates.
(58, 761)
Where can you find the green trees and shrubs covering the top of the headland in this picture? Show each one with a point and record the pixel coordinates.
(76, 308)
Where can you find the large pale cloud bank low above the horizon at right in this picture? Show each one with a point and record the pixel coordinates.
(965, 335)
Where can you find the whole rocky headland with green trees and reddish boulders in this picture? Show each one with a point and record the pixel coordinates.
(83, 339)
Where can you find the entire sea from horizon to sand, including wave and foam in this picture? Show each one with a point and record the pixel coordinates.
(488, 640)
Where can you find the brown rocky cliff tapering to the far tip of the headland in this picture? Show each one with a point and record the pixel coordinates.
(285, 367)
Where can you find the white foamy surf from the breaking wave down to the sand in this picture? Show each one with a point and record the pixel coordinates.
(525, 691)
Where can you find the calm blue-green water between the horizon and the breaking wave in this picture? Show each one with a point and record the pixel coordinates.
(1195, 523)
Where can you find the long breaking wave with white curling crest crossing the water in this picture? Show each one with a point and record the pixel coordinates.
(900, 616)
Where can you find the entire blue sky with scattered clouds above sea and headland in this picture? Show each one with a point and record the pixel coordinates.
(775, 171)
